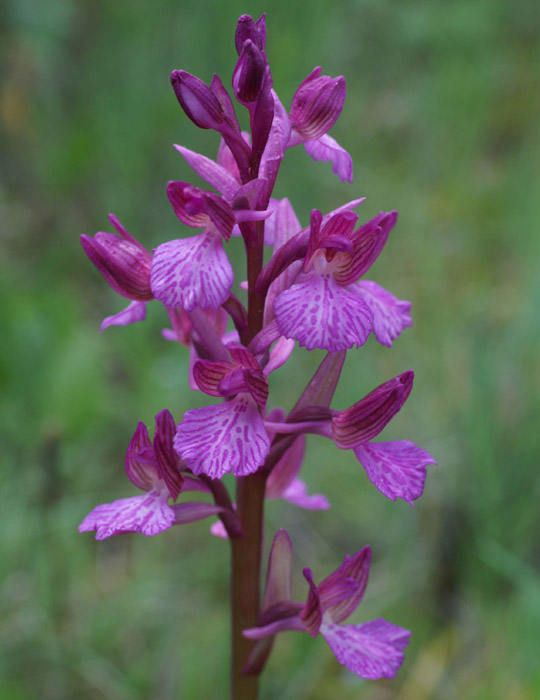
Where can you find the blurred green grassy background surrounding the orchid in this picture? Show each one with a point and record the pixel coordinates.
(441, 122)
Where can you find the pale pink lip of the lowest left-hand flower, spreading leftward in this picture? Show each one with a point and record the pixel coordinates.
(147, 514)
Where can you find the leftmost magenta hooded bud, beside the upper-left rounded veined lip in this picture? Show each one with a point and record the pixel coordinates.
(123, 262)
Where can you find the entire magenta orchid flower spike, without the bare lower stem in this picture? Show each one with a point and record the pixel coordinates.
(311, 291)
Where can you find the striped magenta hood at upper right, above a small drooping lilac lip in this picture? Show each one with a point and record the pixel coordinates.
(317, 104)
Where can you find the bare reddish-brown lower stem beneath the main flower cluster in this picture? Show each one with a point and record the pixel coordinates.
(245, 580)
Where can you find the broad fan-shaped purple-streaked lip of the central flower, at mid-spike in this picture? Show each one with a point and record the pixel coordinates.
(228, 437)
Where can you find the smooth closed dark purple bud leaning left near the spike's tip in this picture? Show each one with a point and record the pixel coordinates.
(197, 100)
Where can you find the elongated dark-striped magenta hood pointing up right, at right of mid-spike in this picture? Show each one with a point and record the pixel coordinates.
(365, 420)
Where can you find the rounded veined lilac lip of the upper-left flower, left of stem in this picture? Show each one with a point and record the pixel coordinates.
(192, 272)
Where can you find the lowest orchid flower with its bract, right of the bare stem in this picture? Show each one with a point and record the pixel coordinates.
(371, 650)
